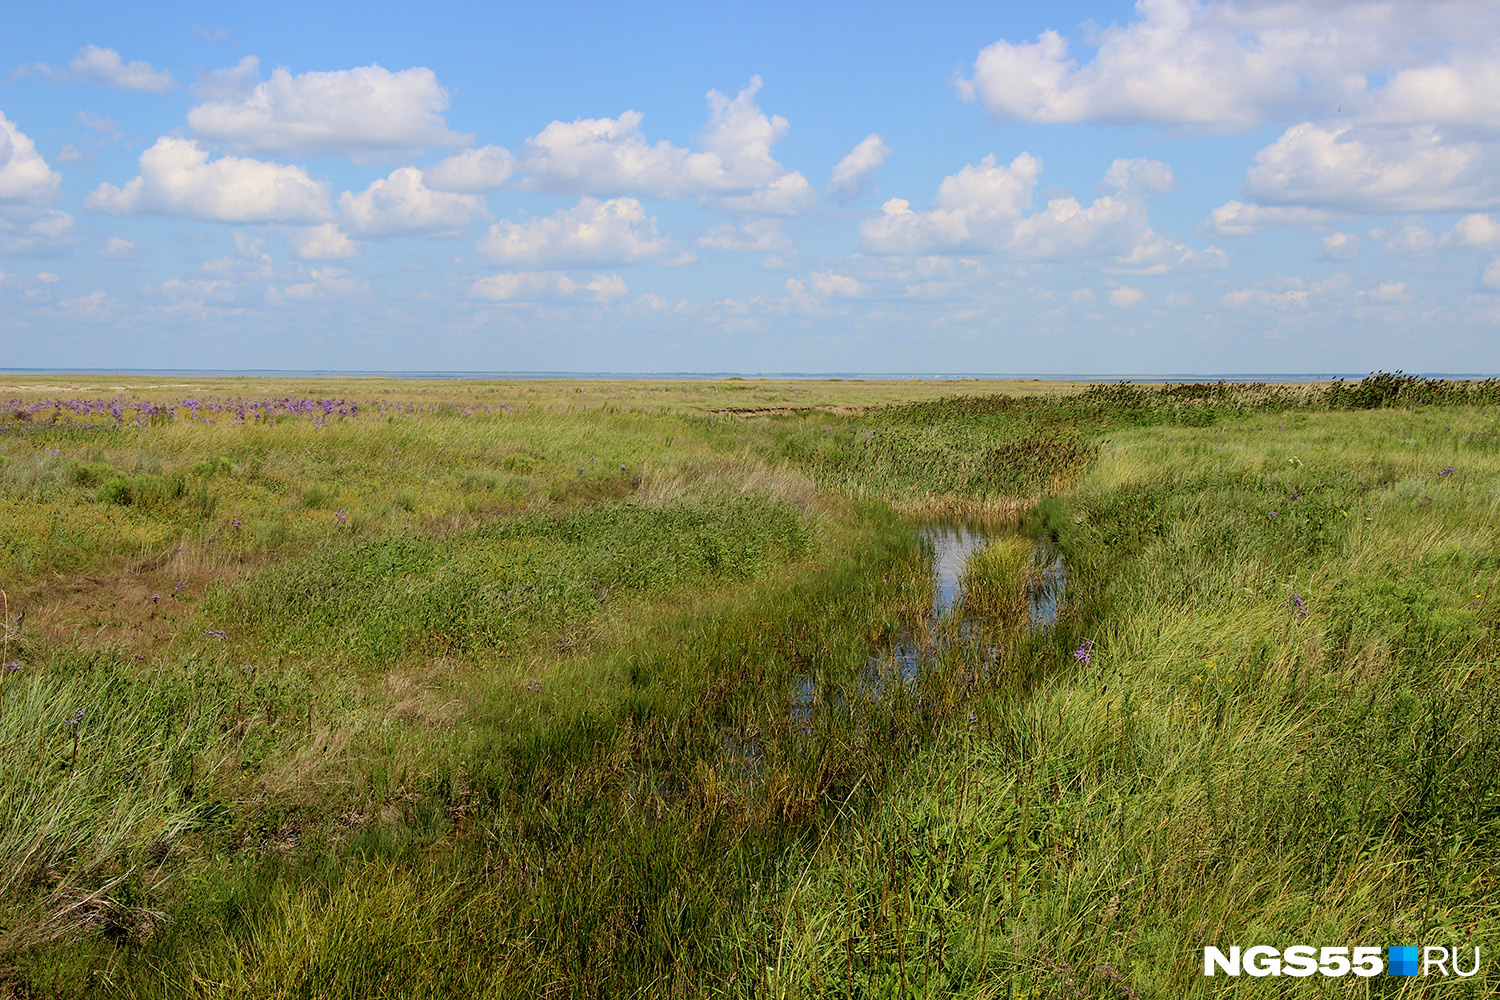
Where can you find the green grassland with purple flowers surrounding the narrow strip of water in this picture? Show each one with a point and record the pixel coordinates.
(382, 689)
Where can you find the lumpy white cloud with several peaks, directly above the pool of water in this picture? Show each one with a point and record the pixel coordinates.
(986, 209)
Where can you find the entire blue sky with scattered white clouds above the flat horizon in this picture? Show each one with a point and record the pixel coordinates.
(1171, 187)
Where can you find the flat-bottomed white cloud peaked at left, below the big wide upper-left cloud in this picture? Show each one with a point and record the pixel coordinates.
(178, 179)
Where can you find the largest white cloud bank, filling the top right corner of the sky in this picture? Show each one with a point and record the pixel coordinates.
(1232, 65)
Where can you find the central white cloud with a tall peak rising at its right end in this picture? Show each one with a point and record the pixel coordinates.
(611, 157)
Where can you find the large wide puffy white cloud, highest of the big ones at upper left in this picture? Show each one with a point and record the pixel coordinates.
(367, 113)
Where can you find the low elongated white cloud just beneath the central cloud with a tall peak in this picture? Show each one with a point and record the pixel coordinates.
(592, 233)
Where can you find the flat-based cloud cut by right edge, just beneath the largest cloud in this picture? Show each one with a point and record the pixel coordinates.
(1376, 170)
